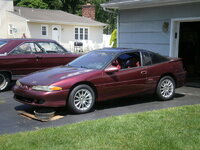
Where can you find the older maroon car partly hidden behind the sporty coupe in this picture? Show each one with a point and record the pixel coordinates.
(19, 57)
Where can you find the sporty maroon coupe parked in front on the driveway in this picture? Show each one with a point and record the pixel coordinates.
(102, 75)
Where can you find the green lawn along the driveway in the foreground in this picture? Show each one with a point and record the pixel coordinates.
(167, 129)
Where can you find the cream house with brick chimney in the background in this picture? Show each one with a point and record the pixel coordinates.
(66, 28)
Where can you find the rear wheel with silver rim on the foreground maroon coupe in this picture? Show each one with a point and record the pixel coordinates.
(166, 88)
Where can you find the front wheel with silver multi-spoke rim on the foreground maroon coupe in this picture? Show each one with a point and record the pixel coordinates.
(80, 102)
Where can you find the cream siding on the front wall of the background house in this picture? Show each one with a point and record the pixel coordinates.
(95, 39)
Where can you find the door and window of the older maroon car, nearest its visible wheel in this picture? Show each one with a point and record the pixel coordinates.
(22, 60)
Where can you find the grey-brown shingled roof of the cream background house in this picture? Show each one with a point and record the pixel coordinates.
(53, 16)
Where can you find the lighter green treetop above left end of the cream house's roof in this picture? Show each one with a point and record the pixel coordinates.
(33, 4)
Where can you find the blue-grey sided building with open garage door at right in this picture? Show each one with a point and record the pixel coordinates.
(168, 27)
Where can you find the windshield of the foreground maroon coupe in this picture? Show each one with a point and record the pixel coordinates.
(92, 60)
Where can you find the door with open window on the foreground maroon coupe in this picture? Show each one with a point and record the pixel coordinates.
(128, 80)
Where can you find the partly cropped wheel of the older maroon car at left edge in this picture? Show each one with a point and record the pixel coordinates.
(4, 81)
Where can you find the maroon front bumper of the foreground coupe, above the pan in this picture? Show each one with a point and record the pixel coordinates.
(40, 98)
